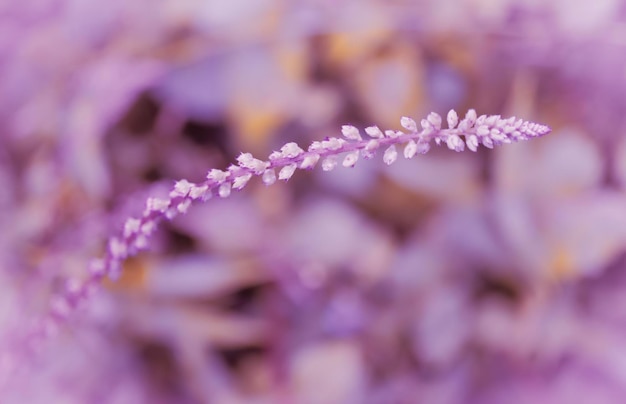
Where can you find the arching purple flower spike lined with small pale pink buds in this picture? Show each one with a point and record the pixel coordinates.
(469, 132)
